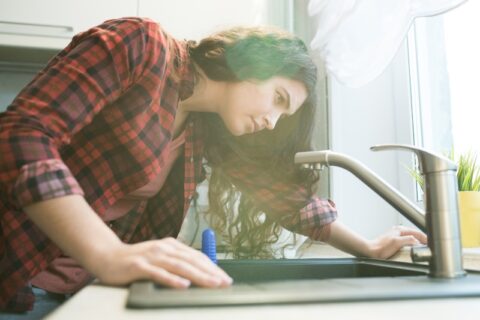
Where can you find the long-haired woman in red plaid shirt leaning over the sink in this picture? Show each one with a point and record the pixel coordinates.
(102, 151)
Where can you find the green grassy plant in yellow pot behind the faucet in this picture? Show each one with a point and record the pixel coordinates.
(468, 175)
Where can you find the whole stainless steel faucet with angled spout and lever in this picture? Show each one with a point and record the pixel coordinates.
(439, 220)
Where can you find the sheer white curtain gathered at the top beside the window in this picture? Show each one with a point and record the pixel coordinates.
(357, 39)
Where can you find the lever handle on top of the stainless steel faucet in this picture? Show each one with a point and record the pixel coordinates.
(428, 161)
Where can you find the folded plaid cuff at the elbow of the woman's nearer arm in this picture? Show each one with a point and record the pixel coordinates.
(44, 180)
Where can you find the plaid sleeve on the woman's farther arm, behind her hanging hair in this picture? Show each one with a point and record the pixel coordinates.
(288, 203)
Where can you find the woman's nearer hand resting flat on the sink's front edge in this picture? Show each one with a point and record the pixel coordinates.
(166, 261)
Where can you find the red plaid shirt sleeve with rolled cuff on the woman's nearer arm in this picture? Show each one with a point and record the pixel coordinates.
(93, 71)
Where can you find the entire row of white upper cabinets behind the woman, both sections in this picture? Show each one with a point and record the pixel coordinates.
(50, 24)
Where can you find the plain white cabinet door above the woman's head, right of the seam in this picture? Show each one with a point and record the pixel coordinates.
(187, 19)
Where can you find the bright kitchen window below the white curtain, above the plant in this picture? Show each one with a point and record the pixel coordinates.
(444, 63)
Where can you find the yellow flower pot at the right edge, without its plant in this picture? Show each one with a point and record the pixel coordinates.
(469, 206)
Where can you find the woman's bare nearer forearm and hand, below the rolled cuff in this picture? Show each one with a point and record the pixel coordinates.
(77, 230)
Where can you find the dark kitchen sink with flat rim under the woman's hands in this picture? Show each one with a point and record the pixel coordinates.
(309, 281)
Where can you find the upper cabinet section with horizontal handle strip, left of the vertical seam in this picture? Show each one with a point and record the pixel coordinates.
(51, 24)
